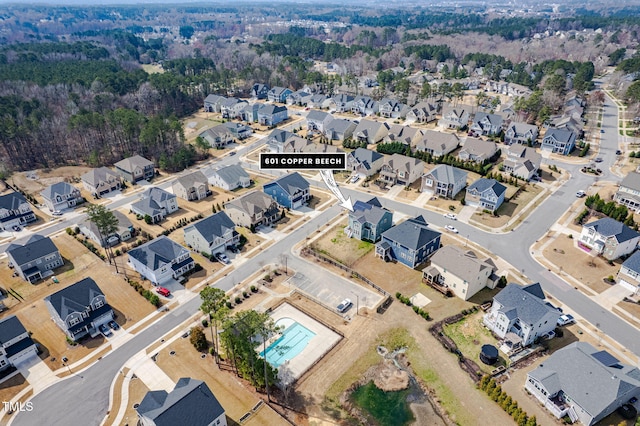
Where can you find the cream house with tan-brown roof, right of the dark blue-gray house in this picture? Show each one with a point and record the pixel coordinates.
(454, 270)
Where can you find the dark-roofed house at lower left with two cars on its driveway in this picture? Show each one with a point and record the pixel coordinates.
(80, 309)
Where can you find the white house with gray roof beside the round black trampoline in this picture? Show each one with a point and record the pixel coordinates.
(520, 314)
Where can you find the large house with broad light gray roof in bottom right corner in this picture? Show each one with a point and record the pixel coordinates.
(583, 383)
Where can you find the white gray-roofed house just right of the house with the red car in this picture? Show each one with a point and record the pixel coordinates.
(212, 234)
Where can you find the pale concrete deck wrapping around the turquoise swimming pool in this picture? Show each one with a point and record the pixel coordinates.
(318, 345)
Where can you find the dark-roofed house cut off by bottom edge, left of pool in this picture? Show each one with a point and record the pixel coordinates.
(191, 402)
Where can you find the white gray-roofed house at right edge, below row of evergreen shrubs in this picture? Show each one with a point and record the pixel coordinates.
(609, 238)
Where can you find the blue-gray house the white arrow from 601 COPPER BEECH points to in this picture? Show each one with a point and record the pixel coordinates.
(368, 220)
